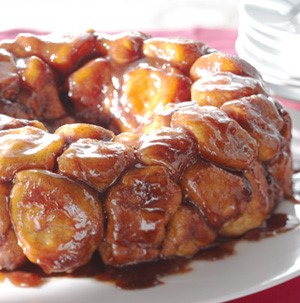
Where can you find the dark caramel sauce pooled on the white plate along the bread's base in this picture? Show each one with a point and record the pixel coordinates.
(149, 274)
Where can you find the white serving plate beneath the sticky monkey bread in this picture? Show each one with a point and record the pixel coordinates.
(254, 267)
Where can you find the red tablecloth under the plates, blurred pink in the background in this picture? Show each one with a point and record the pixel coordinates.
(224, 40)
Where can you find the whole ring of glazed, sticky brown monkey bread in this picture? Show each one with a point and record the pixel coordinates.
(134, 147)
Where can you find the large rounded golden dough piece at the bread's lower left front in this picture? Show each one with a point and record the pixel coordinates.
(58, 222)
